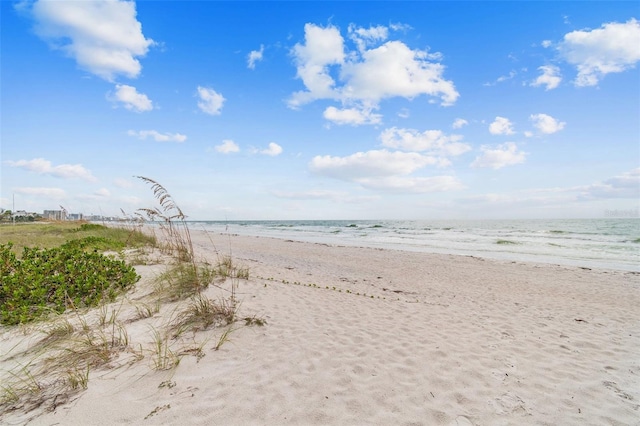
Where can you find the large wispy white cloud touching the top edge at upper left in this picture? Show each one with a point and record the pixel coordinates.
(103, 36)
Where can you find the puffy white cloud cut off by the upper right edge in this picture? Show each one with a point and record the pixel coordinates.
(614, 47)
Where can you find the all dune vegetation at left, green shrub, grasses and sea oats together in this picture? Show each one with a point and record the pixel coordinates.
(77, 277)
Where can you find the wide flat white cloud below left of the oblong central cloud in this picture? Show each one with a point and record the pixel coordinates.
(376, 163)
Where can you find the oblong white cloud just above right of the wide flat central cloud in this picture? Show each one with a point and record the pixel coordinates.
(433, 141)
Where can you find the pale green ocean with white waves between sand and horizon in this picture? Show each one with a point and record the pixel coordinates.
(588, 243)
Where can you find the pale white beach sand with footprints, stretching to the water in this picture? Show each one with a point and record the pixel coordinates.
(445, 340)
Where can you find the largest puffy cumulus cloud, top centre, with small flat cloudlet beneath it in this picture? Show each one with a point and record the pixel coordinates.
(360, 78)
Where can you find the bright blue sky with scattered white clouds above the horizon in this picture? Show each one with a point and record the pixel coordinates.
(322, 110)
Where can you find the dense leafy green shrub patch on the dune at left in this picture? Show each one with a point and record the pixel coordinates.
(52, 280)
